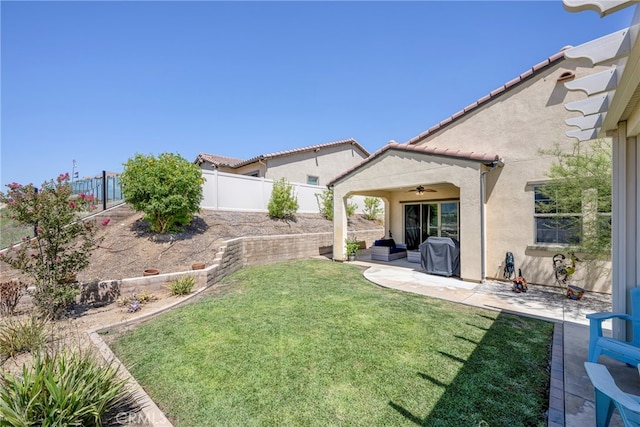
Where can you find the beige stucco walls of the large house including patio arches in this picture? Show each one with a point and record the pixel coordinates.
(516, 125)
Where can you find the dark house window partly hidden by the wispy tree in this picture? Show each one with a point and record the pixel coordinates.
(553, 225)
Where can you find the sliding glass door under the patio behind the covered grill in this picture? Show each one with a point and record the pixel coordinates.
(422, 220)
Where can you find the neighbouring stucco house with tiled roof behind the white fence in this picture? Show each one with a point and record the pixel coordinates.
(313, 165)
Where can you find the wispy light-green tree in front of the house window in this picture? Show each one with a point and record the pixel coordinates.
(580, 182)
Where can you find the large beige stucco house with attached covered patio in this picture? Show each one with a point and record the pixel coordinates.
(475, 177)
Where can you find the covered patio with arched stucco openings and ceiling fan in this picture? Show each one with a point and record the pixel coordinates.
(426, 192)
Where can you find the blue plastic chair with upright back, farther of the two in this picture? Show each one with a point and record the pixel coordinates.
(626, 351)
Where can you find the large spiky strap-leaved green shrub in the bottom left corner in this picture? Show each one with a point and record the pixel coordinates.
(63, 389)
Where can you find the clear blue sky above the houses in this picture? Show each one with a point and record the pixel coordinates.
(97, 82)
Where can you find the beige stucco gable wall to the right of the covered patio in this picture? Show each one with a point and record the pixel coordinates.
(517, 125)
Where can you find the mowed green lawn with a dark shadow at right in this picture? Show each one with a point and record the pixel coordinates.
(313, 343)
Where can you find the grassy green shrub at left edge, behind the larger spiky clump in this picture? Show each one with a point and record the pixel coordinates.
(20, 335)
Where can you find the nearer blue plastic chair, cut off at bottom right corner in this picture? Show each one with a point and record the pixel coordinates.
(609, 397)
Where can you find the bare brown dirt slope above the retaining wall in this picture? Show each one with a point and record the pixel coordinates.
(128, 247)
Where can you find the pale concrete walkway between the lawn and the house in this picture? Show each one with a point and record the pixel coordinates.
(572, 396)
